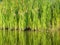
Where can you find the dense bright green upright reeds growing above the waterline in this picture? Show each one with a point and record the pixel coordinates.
(35, 14)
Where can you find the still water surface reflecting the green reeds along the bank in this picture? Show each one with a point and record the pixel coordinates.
(8, 37)
